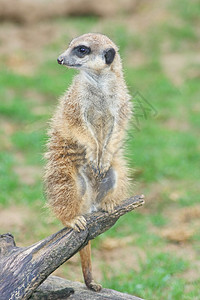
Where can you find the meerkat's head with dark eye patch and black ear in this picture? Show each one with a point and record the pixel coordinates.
(91, 52)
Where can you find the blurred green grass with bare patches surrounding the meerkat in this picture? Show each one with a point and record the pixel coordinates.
(162, 147)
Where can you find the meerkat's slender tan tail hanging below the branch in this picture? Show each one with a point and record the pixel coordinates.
(86, 264)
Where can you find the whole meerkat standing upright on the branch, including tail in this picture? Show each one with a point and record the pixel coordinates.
(86, 170)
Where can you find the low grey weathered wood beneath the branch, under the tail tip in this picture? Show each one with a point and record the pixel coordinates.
(57, 288)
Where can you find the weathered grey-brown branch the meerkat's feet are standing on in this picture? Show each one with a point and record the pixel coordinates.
(22, 270)
